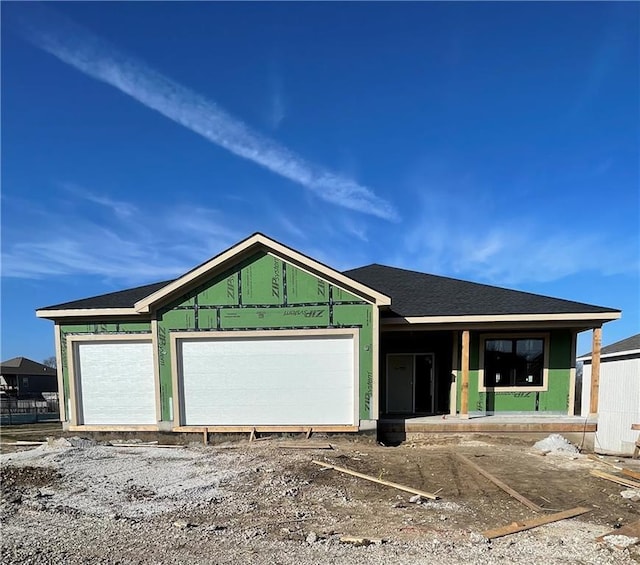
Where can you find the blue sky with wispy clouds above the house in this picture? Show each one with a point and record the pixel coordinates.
(494, 142)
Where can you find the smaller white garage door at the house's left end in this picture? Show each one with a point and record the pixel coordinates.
(116, 383)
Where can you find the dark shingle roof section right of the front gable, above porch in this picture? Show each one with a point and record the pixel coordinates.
(419, 294)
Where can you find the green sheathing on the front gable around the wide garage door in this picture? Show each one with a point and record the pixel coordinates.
(266, 293)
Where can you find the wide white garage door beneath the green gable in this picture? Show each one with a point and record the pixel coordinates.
(268, 381)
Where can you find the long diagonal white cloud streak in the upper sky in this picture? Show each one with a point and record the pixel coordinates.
(85, 51)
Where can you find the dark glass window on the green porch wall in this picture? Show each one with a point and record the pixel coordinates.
(514, 362)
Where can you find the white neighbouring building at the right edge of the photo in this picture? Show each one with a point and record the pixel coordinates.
(619, 395)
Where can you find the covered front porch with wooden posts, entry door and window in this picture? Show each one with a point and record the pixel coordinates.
(482, 378)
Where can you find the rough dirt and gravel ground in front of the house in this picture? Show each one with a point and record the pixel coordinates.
(262, 502)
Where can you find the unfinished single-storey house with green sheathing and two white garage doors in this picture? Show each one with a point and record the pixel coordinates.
(262, 336)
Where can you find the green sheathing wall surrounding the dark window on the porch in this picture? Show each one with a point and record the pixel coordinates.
(554, 399)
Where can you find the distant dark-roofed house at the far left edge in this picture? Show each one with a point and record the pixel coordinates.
(23, 378)
